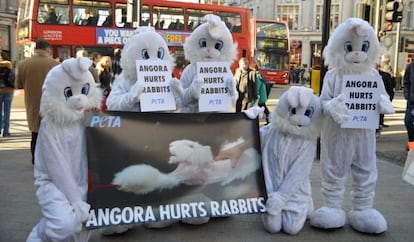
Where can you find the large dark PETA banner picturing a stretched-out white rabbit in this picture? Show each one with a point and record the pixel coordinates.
(147, 167)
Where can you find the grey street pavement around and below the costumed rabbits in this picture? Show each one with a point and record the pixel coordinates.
(19, 210)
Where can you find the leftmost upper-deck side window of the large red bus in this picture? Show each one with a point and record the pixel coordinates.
(53, 12)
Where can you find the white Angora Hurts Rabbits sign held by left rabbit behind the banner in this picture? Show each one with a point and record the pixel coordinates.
(156, 76)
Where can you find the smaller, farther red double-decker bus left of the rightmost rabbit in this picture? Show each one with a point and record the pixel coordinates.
(270, 49)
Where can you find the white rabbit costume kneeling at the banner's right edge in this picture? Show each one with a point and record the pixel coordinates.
(288, 151)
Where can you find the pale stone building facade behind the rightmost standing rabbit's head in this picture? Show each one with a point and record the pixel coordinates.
(305, 20)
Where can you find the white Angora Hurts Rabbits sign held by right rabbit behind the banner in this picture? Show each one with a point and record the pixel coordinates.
(215, 95)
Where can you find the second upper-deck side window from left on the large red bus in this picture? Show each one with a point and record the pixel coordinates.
(90, 13)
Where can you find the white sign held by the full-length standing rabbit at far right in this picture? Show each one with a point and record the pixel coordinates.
(362, 93)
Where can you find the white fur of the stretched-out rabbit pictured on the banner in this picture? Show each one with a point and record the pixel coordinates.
(195, 167)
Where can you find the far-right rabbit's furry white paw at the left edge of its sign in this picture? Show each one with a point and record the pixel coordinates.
(338, 109)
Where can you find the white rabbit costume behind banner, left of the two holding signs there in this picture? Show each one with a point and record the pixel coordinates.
(145, 44)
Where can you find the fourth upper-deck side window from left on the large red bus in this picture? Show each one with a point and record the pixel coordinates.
(168, 18)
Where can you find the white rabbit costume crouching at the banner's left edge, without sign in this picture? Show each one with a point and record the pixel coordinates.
(61, 164)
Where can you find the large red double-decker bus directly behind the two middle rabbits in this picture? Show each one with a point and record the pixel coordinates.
(101, 26)
